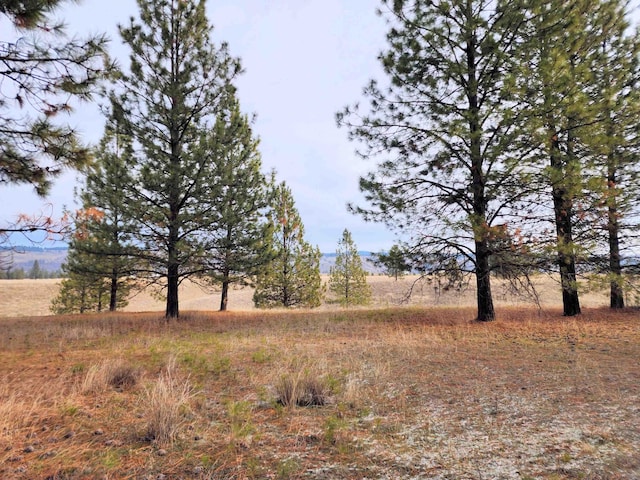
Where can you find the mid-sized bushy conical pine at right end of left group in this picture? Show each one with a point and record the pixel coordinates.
(292, 278)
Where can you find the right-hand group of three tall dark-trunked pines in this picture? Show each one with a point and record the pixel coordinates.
(506, 140)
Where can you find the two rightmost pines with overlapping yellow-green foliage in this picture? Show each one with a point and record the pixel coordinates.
(573, 83)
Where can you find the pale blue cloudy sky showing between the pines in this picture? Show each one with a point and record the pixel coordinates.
(304, 60)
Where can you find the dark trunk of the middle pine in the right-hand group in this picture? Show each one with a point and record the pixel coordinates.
(563, 211)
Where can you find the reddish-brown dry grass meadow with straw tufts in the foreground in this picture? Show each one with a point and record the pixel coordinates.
(418, 392)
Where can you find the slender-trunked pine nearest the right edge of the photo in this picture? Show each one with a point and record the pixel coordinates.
(616, 139)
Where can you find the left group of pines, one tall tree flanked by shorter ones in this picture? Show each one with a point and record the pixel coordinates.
(176, 190)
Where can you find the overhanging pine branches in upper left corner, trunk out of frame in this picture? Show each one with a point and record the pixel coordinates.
(40, 74)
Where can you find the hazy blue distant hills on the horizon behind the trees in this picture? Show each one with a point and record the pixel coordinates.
(51, 259)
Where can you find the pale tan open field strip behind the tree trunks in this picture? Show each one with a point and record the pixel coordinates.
(33, 297)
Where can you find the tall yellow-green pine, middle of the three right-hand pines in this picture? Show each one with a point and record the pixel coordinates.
(563, 117)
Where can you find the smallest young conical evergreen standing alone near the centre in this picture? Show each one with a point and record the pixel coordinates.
(348, 279)
